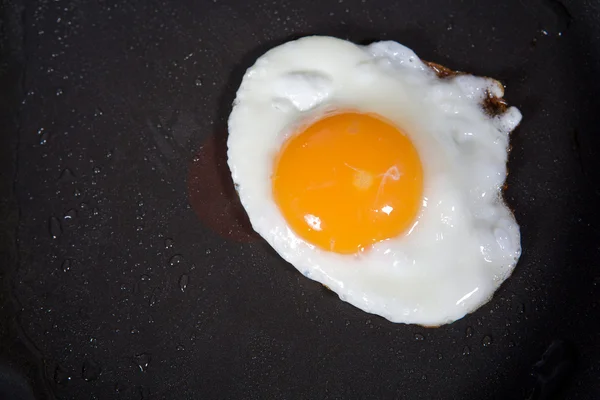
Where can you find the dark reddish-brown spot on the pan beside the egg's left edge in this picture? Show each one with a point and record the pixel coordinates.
(212, 195)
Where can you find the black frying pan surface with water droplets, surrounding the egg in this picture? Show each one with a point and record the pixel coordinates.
(129, 270)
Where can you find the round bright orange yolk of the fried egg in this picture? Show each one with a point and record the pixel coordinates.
(347, 181)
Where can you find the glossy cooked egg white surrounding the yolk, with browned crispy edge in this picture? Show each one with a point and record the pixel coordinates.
(464, 243)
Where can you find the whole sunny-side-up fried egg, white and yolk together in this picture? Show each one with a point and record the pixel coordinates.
(371, 174)
